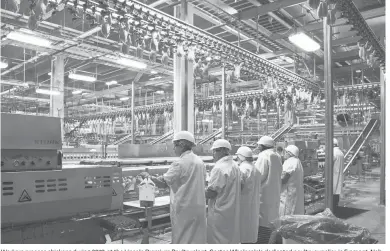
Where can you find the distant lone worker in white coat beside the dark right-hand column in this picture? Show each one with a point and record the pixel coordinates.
(338, 175)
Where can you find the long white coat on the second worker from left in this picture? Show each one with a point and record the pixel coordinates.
(223, 217)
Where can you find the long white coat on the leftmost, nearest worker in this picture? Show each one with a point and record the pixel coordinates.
(186, 179)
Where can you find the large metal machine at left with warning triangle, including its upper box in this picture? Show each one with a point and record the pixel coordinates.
(38, 193)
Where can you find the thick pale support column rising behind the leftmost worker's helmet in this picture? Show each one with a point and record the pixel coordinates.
(183, 86)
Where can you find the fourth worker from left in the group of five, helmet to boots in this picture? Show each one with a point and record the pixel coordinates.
(270, 166)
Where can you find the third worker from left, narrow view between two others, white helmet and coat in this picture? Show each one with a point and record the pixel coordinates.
(250, 195)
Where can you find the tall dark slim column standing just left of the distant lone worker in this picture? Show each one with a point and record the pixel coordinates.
(329, 115)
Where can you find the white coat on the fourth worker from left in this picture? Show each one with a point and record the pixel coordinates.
(270, 166)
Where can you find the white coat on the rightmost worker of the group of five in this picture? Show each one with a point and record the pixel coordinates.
(292, 197)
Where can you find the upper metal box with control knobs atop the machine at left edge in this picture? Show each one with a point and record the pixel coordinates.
(30, 143)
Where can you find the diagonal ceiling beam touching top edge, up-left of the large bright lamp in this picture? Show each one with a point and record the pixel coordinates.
(266, 8)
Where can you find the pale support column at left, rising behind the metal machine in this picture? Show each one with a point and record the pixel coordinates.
(57, 84)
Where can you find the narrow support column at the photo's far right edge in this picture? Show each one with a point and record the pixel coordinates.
(382, 197)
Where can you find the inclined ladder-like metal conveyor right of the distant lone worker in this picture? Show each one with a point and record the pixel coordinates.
(359, 142)
